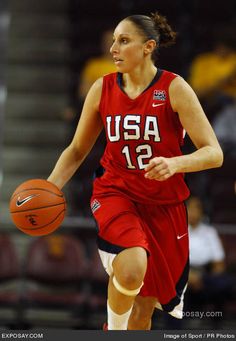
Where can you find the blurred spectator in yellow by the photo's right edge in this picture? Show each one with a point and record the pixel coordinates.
(212, 75)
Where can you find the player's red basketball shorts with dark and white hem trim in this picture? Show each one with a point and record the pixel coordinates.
(161, 230)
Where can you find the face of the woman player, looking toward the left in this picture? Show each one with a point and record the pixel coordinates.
(128, 47)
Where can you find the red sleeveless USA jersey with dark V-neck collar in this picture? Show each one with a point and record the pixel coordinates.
(138, 130)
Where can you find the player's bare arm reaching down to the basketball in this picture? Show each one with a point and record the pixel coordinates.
(89, 127)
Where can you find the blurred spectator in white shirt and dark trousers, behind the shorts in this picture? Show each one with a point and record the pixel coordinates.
(209, 284)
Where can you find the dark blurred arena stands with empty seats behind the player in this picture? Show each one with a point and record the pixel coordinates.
(51, 52)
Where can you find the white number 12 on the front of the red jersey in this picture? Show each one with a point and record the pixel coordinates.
(143, 155)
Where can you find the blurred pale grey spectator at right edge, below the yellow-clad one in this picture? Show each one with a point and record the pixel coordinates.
(224, 125)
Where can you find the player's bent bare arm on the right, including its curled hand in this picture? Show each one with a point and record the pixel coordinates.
(208, 152)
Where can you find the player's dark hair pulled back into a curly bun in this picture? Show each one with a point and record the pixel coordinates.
(154, 27)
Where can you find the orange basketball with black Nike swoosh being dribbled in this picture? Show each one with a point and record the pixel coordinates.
(37, 207)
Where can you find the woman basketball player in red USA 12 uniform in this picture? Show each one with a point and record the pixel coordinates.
(138, 195)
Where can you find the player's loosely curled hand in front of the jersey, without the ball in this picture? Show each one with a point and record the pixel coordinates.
(160, 168)
